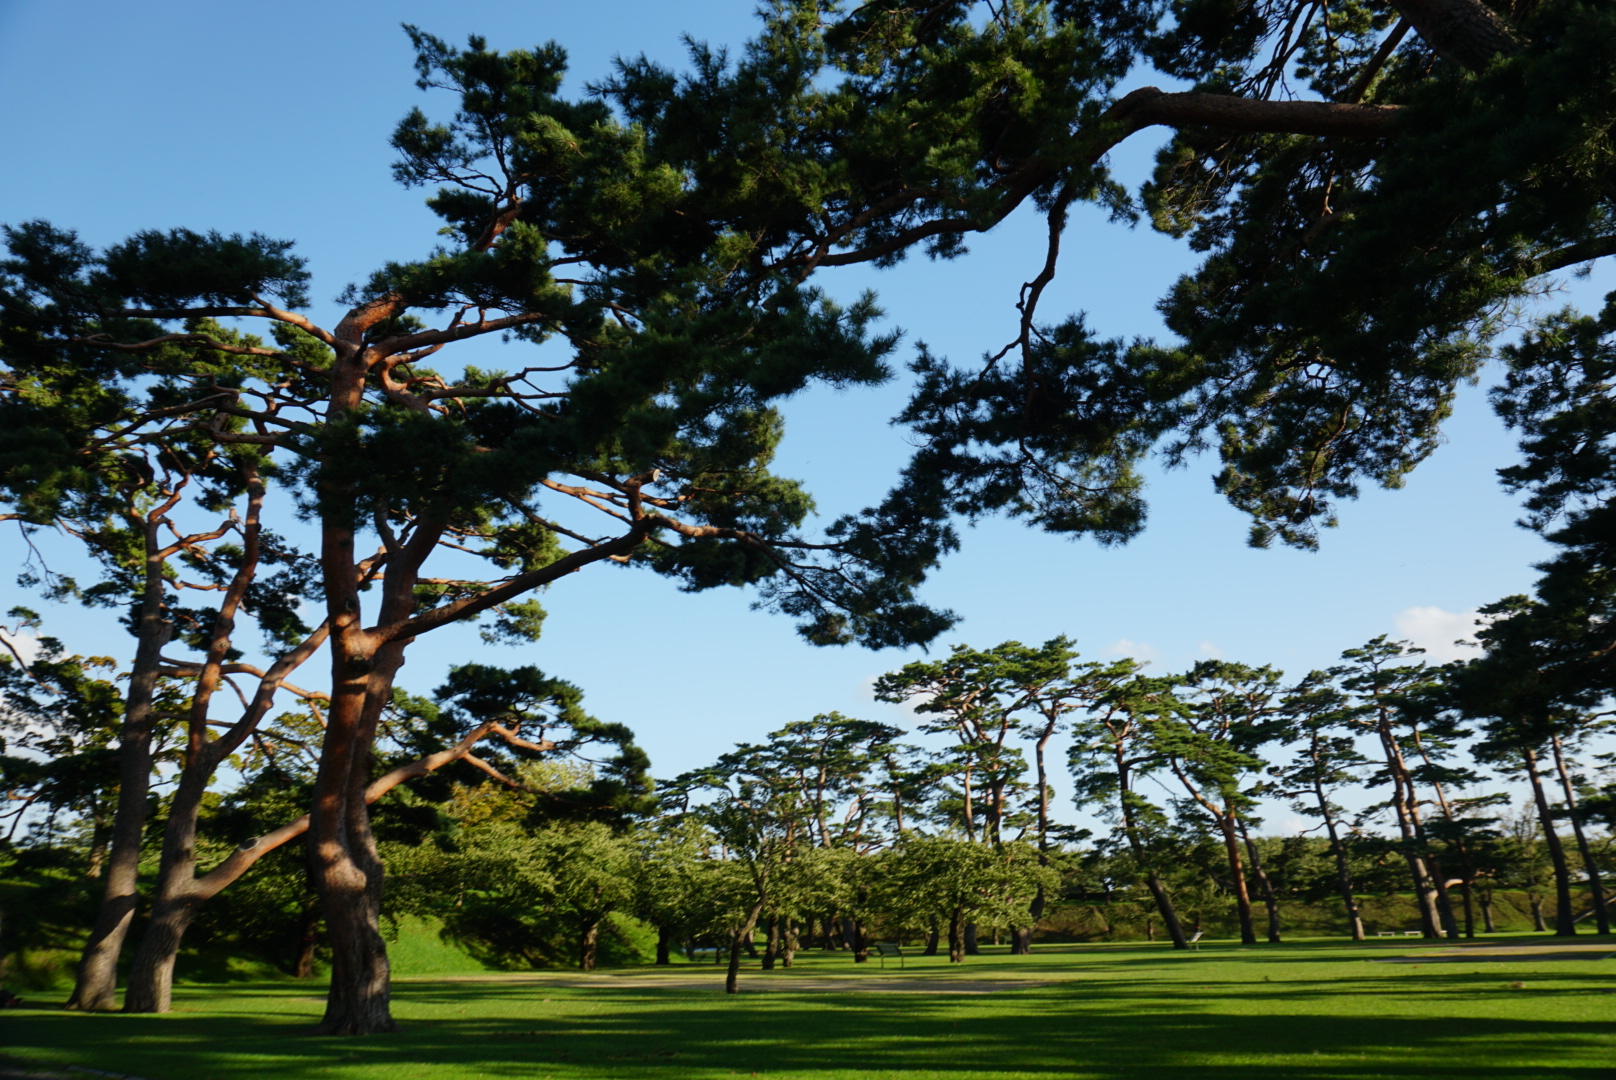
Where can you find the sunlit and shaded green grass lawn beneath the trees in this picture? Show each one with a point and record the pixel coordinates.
(1310, 1011)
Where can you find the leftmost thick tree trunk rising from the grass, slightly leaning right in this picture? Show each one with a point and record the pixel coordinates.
(96, 984)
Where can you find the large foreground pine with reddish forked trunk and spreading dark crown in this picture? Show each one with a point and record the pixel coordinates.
(657, 334)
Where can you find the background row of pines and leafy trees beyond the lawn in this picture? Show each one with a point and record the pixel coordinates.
(836, 830)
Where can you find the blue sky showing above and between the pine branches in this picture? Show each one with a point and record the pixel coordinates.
(237, 117)
